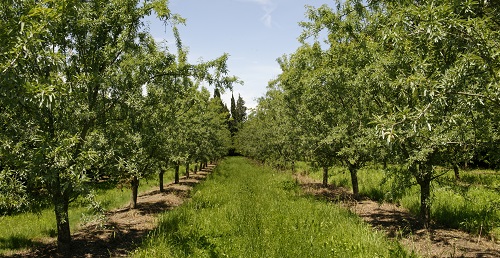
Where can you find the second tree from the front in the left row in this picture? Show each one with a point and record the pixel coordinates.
(132, 139)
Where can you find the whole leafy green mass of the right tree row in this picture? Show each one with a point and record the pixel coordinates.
(412, 83)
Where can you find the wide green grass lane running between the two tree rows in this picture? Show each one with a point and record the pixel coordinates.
(245, 210)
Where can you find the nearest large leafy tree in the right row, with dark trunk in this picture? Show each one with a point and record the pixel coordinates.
(438, 72)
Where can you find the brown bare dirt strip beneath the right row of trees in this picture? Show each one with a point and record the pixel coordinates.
(399, 224)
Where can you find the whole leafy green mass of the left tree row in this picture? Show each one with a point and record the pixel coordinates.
(73, 76)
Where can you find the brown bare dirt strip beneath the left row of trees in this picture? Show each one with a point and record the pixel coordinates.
(123, 230)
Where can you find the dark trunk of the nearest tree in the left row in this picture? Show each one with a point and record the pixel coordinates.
(61, 204)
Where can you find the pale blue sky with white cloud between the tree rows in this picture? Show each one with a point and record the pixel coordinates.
(253, 32)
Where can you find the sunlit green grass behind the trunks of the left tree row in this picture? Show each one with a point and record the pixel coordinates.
(25, 230)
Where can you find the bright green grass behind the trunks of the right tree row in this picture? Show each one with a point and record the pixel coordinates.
(471, 204)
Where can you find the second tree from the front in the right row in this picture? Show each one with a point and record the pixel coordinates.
(337, 79)
